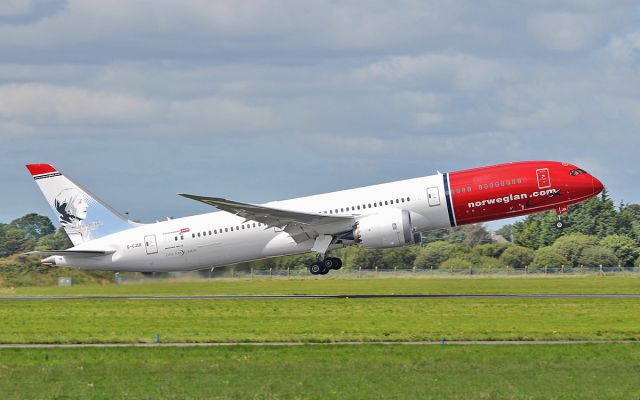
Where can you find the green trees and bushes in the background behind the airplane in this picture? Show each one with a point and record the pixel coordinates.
(596, 232)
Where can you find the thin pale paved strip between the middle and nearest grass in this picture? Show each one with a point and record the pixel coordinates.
(223, 344)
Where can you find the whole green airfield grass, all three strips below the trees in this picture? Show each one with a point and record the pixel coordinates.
(576, 371)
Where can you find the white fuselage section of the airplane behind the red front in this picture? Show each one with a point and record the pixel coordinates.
(220, 238)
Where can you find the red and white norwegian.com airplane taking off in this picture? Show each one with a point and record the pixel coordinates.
(380, 216)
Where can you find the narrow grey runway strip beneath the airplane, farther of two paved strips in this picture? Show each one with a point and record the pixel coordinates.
(328, 296)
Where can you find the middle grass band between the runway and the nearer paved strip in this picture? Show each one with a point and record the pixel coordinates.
(89, 321)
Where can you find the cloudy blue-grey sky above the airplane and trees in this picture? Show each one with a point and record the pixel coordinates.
(267, 100)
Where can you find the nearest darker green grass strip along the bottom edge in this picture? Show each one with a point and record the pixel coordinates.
(325, 372)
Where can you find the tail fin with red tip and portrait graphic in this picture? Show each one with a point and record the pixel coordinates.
(83, 216)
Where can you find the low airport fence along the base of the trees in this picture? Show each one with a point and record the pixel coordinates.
(407, 273)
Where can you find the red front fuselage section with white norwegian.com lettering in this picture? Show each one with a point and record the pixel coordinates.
(514, 189)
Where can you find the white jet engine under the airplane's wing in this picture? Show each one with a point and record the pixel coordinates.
(391, 228)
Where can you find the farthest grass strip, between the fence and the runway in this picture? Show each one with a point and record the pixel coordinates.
(327, 285)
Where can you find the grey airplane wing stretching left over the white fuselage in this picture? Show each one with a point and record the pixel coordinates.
(300, 225)
